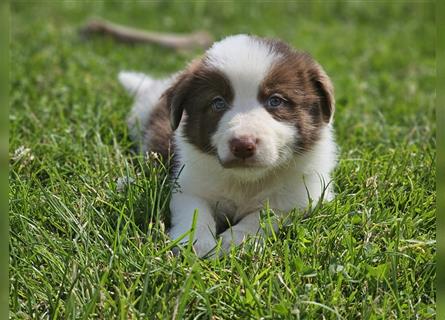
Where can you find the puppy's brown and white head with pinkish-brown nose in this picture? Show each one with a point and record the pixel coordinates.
(252, 103)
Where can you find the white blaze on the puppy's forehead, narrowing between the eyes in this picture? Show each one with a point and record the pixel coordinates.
(244, 60)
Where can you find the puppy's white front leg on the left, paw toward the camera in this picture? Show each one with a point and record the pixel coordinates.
(182, 207)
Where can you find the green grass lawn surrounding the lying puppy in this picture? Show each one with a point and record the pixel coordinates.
(81, 249)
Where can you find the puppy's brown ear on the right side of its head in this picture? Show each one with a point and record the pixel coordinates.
(325, 91)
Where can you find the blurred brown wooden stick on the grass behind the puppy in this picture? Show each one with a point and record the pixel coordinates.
(200, 39)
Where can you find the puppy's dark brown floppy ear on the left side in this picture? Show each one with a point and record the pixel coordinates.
(175, 97)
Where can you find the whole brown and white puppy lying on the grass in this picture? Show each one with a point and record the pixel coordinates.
(250, 123)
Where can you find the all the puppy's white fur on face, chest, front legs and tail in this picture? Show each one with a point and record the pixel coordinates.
(283, 179)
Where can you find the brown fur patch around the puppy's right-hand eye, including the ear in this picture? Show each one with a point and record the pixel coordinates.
(305, 87)
